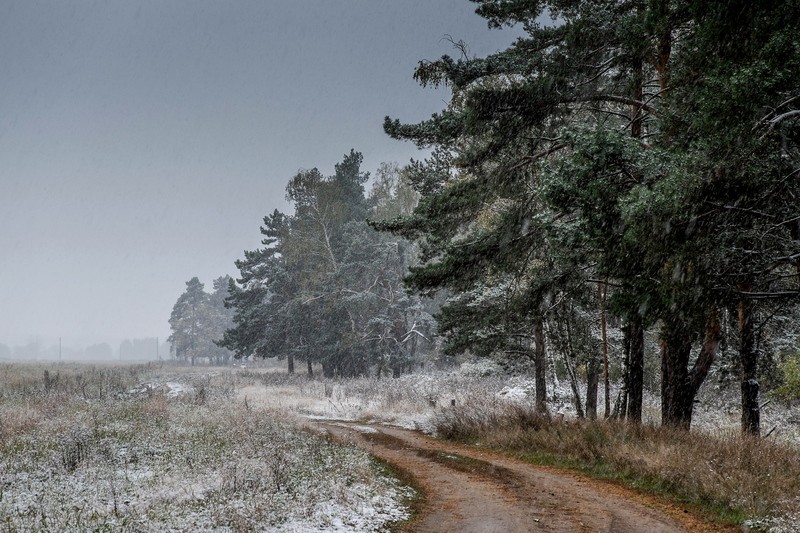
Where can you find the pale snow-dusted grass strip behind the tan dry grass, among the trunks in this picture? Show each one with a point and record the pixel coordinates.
(412, 400)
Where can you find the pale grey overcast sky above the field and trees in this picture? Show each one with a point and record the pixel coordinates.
(142, 141)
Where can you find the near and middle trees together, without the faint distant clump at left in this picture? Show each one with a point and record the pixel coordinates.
(630, 167)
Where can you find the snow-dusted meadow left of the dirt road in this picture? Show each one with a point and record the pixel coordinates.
(155, 449)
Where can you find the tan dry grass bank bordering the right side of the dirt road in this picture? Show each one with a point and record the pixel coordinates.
(731, 475)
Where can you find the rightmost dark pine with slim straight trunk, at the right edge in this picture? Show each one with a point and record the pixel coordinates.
(734, 114)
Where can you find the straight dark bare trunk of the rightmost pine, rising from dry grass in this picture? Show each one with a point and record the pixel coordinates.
(748, 355)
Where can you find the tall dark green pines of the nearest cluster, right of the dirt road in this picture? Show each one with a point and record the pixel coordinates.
(649, 147)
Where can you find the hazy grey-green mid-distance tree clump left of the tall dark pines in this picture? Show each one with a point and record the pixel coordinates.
(326, 288)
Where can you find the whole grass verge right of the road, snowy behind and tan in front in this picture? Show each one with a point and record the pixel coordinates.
(755, 479)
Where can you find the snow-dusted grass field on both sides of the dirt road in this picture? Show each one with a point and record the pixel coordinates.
(159, 447)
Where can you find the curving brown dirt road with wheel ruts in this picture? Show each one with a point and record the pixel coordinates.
(470, 490)
